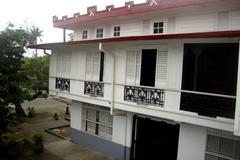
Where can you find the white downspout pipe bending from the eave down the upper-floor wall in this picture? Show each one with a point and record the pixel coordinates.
(113, 74)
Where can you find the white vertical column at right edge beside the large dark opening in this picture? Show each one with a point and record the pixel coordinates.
(237, 107)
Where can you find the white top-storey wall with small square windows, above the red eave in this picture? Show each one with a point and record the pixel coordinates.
(182, 20)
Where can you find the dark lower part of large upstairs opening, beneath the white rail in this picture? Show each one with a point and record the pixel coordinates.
(208, 105)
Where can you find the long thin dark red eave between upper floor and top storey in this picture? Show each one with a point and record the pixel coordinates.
(216, 34)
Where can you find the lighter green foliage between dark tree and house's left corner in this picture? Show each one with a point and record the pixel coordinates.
(36, 69)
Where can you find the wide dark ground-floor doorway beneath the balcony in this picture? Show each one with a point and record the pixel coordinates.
(154, 140)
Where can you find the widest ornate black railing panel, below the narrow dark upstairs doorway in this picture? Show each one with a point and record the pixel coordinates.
(143, 95)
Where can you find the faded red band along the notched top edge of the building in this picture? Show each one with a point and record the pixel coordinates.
(124, 11)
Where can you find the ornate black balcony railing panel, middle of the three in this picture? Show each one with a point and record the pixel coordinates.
(93, 89)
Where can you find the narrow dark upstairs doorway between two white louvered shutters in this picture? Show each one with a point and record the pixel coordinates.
(148, 67)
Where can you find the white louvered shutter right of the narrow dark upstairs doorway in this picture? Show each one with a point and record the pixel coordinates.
(161, 67)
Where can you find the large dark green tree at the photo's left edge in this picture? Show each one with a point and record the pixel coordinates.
(13, 89)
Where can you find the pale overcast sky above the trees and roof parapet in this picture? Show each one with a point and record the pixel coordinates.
(40, 13)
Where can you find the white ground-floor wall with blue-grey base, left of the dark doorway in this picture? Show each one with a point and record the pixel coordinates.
(117, 144)
